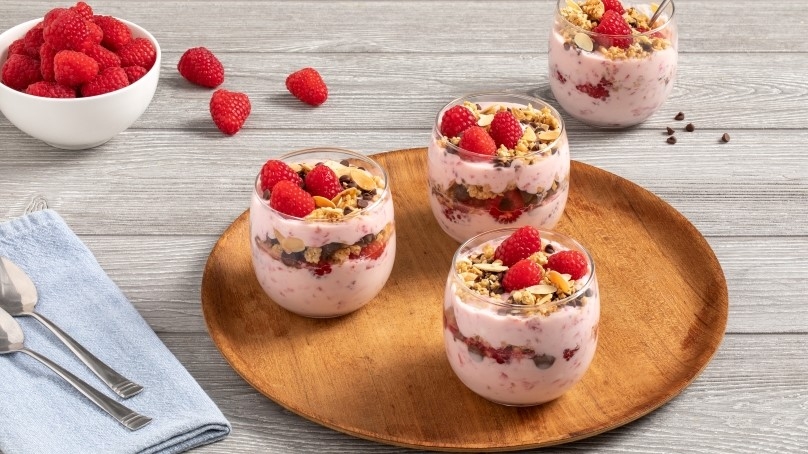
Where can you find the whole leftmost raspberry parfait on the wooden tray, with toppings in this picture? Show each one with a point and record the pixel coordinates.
(321, 231)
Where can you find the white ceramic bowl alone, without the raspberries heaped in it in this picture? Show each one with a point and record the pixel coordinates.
(76, 124)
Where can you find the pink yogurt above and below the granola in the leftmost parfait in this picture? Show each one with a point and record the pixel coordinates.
(347, 286)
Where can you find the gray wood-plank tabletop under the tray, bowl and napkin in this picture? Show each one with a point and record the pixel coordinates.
(151, 203)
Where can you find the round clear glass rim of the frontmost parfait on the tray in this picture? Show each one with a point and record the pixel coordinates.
(522, 307)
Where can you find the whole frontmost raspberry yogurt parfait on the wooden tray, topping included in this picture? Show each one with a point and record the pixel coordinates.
(520, 315)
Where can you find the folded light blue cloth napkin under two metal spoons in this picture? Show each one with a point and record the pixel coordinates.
(41, 413)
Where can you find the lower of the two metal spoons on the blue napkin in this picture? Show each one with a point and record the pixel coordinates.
(11, 341)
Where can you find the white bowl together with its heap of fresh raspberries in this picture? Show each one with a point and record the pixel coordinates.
(75, 79)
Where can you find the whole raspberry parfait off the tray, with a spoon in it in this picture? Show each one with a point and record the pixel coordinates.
(608, 66)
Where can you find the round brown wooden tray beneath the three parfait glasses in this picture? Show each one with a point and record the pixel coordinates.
(381, 373)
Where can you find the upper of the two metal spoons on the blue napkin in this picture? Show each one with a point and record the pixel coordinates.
(18, 296)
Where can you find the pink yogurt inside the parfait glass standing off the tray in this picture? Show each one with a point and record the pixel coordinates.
(636, 87)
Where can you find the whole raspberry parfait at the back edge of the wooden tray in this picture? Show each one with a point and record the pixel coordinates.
(497, 160)
